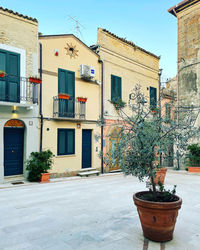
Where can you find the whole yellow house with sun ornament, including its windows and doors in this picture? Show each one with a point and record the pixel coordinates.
(71, 75)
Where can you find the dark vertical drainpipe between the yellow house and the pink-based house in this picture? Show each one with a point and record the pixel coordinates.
(102, 114)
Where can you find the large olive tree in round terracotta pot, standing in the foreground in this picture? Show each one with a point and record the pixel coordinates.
(142, 137)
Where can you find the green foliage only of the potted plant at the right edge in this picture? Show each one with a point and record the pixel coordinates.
(193, 156)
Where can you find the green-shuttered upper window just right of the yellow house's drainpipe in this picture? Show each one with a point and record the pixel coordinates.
(116, 88)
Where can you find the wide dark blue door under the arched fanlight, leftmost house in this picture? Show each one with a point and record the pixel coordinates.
(13, 151)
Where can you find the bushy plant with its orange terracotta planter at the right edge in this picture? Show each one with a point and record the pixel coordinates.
(193, 158)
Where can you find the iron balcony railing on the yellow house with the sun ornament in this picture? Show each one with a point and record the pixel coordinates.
(71, 109)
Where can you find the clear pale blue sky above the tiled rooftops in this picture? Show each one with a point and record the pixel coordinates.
(147, 23)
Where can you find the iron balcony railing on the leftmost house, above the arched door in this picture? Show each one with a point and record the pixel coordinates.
(18, 90)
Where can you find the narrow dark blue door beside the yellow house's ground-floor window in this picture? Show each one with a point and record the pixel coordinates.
(86, 148)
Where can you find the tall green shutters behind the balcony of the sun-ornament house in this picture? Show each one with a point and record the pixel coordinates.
(66, 85)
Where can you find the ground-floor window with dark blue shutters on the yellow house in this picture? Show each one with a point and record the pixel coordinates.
(66, 141)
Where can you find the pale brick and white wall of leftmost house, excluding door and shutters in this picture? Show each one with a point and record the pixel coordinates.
(19, 35)
